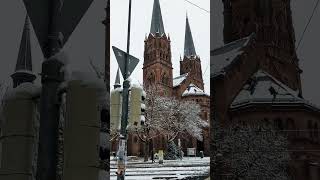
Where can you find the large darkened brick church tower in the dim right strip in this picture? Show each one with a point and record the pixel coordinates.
(271, 21)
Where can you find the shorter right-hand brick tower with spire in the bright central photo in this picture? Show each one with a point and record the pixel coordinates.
(191, 63)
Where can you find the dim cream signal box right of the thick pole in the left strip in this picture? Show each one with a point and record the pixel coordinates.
(82, 133)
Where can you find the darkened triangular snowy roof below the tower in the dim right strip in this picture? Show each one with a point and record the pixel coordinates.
(264, 88)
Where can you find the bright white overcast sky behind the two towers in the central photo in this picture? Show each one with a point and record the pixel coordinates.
(174, 17)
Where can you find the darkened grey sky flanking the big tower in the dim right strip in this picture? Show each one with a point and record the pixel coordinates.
(308, 51)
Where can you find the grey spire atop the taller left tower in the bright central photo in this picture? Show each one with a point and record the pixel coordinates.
(156, 22)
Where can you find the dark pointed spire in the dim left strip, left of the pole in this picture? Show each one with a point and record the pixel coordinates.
(23, 70)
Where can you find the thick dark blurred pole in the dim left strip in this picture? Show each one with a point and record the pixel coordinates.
(49, 112)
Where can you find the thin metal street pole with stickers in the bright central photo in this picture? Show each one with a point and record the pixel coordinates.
(122, 150)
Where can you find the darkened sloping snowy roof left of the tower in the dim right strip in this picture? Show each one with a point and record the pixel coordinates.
(224, 56)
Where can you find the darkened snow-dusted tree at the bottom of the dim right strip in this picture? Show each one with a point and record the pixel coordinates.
(250, 152)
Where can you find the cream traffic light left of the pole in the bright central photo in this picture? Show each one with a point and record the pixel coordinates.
(115, 108)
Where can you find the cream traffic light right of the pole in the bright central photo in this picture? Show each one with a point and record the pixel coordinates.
(137, 107)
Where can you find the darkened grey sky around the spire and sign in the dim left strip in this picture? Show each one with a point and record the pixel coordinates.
(87, 41)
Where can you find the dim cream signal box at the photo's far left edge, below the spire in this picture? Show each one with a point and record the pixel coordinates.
(18, 137)
